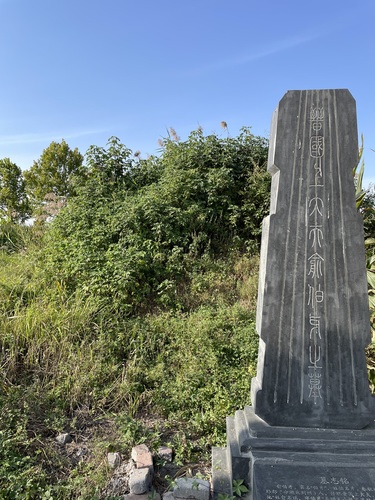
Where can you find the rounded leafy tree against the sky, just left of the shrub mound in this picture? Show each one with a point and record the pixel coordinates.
(54, 172)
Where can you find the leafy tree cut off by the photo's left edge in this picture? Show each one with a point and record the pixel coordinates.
(14, 206)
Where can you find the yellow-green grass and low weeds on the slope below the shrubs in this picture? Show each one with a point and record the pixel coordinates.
(62, 354)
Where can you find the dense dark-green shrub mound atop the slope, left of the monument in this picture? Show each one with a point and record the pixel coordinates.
(134, 234)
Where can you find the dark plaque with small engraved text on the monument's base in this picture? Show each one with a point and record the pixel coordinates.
(310, 481)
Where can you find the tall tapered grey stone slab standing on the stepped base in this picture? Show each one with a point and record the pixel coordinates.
(313, 317)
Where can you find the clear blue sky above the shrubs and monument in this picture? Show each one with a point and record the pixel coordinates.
(85, 70)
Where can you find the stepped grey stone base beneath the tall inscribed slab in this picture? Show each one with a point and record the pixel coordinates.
(286, 463)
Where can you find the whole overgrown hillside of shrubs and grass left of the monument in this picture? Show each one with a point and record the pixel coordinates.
(127, 312)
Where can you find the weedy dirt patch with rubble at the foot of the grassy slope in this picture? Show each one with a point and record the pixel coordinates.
(84, 459)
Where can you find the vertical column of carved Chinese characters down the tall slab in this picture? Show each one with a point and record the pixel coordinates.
(315, 261)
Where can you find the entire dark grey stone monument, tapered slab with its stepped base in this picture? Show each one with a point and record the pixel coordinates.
(310, 432)
